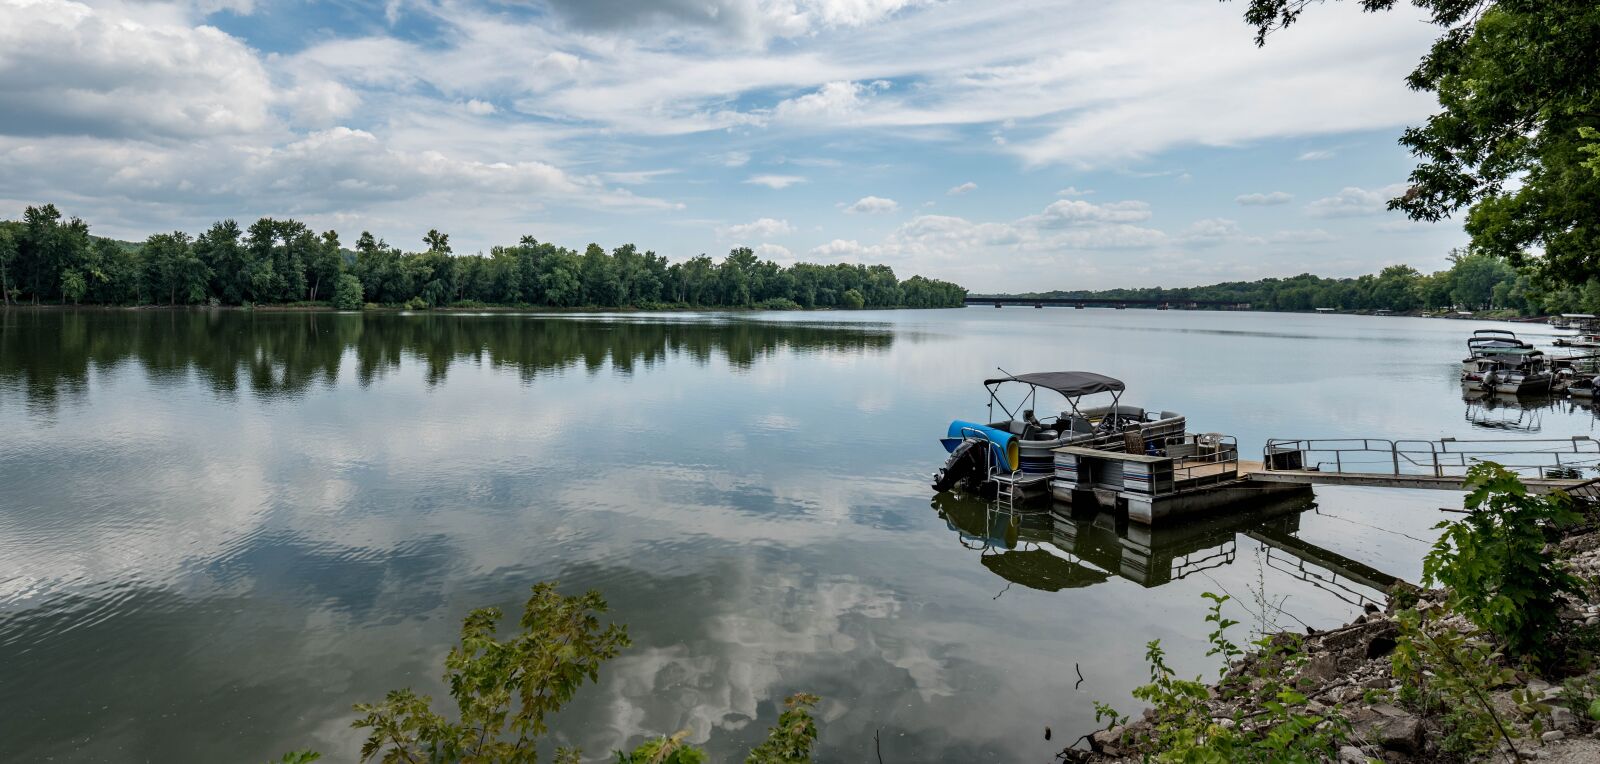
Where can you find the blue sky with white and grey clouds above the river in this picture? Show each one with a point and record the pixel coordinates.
(1007, 146)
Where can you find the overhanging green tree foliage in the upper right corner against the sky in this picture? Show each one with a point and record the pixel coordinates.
(1513, 141)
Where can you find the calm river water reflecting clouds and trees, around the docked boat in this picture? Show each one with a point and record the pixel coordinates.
(218, 531)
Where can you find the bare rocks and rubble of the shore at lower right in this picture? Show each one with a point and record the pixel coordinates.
(1348, 677)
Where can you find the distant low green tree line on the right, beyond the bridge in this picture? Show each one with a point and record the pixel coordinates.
(1474, 282)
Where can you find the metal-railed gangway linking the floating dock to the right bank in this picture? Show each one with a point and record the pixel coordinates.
(1537, 458)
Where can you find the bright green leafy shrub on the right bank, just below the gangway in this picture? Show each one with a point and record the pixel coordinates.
(1497, 563)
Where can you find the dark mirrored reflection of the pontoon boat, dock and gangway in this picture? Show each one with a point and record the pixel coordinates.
(1052, 551)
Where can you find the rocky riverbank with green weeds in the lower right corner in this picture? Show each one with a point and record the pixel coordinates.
(1372, 686)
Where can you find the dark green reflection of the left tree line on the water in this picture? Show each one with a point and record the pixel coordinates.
(49, 356)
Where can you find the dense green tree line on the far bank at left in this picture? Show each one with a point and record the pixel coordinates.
(47, 258)
